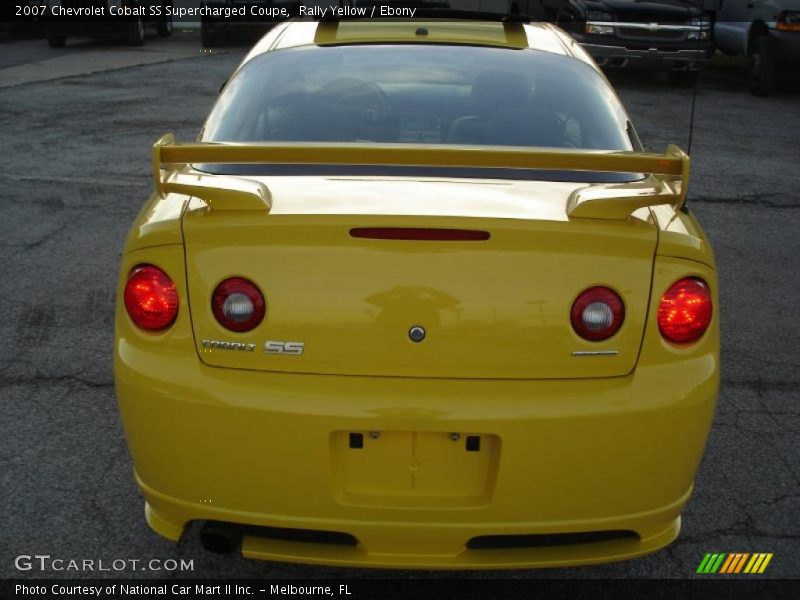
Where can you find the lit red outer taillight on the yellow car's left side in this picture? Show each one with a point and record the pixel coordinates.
(151, 298)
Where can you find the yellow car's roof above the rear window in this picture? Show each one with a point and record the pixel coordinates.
(512, 35)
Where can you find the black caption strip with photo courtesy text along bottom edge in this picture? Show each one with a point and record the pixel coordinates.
(425, 585)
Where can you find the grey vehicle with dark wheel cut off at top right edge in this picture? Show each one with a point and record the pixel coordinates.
(767, 31)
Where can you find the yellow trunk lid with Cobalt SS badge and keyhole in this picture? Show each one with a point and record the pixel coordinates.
(496, 308)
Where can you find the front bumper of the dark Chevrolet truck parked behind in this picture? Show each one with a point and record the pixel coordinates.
(653, 58)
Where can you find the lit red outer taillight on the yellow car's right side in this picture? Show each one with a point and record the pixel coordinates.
(685, 310)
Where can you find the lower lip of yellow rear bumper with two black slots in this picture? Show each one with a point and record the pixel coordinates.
(431, 544)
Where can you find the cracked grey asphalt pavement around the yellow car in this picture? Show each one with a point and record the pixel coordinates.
(66, 475)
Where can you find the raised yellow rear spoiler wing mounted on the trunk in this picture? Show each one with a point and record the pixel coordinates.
(666, 184)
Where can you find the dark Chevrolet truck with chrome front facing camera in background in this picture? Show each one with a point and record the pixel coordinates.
(665, 35)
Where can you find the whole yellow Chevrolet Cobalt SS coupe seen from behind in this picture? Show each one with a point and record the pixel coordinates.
(417, 297)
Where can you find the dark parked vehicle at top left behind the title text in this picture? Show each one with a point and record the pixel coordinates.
(149, 13)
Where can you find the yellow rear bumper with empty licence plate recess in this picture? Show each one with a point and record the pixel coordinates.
(616, 454)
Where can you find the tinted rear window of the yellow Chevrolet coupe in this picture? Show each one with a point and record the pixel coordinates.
(422, 94)
